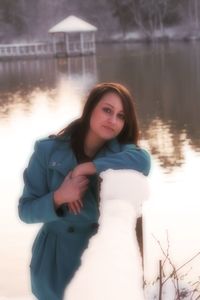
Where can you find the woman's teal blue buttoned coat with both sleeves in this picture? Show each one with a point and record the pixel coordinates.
(63, 236)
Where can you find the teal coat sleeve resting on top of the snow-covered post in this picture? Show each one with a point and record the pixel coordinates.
(130, 157)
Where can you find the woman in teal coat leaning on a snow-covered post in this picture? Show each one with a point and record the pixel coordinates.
(61, 183)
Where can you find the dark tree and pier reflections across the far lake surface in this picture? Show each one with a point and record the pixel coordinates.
(163, 77)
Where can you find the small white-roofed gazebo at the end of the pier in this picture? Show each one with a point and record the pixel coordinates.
(73, 36)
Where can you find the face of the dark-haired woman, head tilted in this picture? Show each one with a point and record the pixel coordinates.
(107, 119)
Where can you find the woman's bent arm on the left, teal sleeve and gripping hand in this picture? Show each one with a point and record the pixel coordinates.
(37, 204)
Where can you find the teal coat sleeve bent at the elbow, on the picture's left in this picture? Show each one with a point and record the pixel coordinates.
(36, 203)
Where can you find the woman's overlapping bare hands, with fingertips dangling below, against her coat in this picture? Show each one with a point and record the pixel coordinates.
(71, 191)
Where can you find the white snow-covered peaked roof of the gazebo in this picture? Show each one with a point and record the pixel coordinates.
(72, 24)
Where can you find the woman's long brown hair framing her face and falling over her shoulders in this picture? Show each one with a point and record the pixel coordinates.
(78, 129)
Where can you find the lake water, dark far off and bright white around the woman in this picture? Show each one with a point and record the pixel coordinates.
(39, 97)
